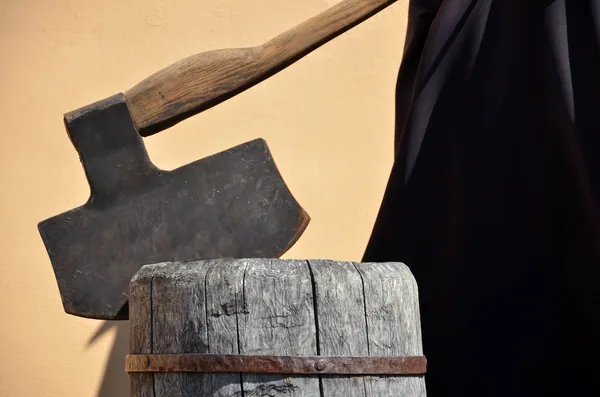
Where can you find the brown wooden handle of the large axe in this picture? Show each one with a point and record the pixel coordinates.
(201, 81)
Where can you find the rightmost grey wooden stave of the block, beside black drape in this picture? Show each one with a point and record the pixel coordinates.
(393, 321)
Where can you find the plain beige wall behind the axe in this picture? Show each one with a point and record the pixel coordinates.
(328, 120)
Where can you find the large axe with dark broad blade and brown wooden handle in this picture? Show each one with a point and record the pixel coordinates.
(231, 204)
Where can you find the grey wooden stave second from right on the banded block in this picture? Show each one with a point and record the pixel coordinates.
(342, 327)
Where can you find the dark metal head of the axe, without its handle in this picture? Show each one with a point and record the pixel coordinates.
(230, 205)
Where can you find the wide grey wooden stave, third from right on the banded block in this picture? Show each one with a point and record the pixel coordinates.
(279, 320)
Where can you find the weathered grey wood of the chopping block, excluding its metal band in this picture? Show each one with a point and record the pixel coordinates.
(278, 307)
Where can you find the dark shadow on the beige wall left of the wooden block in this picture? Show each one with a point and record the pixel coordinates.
(115, 382)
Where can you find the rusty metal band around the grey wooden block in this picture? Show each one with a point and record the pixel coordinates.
(211, 363)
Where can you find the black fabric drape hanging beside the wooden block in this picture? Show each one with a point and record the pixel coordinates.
(493, 199)
